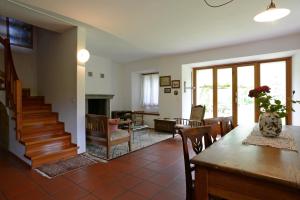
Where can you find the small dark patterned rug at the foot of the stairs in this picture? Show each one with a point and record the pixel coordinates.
(65, 166)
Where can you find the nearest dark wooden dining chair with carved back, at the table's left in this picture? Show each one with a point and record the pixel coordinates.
(196, 136)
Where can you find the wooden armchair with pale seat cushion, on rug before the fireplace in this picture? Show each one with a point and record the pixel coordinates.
(98, 131)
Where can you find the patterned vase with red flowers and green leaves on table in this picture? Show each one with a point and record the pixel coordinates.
(271, 111)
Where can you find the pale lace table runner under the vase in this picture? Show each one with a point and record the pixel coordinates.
(284, 141)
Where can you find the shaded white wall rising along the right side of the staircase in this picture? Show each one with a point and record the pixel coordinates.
(57, 74)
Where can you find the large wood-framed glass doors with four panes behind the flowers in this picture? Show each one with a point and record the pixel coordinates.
(223, 89)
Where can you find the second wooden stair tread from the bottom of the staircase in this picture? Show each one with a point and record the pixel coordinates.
(45, 138)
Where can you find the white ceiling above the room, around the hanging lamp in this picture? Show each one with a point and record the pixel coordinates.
(148, 28)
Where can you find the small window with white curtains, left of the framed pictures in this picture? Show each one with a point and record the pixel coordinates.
(150, 90)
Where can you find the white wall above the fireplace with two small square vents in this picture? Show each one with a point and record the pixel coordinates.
(110, 84)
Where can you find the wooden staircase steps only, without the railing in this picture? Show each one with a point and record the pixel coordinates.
(42, 134)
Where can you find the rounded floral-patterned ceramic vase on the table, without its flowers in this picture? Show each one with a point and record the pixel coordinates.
(270, 124)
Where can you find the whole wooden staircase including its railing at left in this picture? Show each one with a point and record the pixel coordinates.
(37, 127)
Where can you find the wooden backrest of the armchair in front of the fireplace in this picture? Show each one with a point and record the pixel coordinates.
(97, 125)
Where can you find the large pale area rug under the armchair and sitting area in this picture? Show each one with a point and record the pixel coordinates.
(140, 139)
